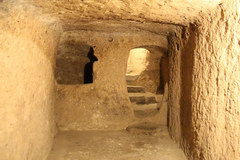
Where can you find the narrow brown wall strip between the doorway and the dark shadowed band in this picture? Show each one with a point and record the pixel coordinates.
(174, 95)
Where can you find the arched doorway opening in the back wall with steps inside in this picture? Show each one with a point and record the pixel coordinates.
(145, 77)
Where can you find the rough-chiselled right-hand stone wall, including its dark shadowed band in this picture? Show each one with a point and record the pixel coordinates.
(205, 114)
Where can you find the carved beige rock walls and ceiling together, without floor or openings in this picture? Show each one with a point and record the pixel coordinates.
(203, 39)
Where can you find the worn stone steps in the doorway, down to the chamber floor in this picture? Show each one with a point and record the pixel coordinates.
(146, 108)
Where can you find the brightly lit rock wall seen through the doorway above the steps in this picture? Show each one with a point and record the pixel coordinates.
(147, 69)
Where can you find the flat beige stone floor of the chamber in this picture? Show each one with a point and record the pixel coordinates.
(114, 145)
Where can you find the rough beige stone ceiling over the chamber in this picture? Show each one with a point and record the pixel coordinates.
(169, 11)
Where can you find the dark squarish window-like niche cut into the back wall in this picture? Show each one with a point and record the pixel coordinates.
(74, 64)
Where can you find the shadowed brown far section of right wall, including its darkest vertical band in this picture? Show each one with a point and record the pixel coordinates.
(183, 44)
